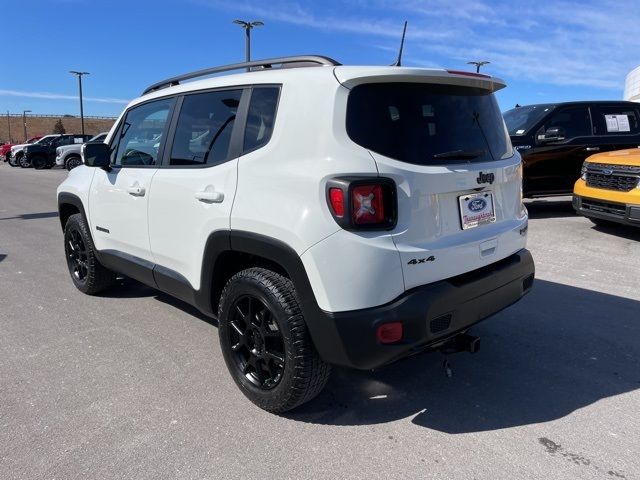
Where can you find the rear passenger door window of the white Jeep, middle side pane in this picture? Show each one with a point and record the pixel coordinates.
(203, 131)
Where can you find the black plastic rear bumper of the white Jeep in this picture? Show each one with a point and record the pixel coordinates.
(430, 314)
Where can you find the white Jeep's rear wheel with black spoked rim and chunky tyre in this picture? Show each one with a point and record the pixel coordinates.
(265, 341)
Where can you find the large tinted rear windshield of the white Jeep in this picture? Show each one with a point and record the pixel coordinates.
(427, 124)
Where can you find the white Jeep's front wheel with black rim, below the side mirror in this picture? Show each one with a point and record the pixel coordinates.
(87, 273)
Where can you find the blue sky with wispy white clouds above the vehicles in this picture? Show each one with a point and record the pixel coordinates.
(546, 51)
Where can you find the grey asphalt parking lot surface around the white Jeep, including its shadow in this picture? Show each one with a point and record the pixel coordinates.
(132, 384)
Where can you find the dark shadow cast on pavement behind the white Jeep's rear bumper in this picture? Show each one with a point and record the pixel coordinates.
(558, 350)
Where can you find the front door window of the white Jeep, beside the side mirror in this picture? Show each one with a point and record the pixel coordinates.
(141, 134)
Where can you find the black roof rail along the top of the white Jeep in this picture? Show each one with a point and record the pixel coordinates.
(283, 62)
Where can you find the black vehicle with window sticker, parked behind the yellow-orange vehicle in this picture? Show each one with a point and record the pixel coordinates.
(555, 139)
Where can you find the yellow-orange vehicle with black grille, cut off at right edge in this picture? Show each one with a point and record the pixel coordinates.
(609, 188)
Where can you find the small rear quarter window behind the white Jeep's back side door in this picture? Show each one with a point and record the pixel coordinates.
(261, 117)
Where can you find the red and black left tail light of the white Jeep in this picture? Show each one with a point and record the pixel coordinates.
(361, 204)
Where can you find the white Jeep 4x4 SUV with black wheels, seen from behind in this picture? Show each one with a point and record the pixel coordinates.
(332, 215)
